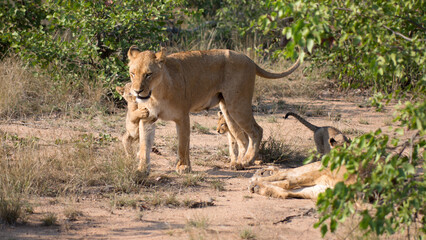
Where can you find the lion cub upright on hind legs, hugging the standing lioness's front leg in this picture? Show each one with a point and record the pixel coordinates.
(134, 115)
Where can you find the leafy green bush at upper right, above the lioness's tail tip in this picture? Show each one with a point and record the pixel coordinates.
(376, 44)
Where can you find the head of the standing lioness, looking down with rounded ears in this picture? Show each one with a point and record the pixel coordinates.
(145, 70)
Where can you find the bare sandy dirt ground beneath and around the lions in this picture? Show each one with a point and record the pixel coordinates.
(230, 212)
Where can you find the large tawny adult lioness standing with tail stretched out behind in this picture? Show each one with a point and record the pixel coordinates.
(175, 85)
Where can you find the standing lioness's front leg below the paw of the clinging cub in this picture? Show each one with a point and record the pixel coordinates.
(146, 136)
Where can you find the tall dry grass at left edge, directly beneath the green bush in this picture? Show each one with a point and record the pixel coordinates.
(28, 91)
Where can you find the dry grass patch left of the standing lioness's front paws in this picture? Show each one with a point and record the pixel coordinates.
(75, 166)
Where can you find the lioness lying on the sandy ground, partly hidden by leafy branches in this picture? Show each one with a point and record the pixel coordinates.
(303, 182)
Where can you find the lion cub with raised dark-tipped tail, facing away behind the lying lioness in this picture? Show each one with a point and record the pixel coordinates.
(325, 137)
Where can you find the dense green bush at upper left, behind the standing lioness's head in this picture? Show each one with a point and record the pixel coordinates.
(90, 37)
